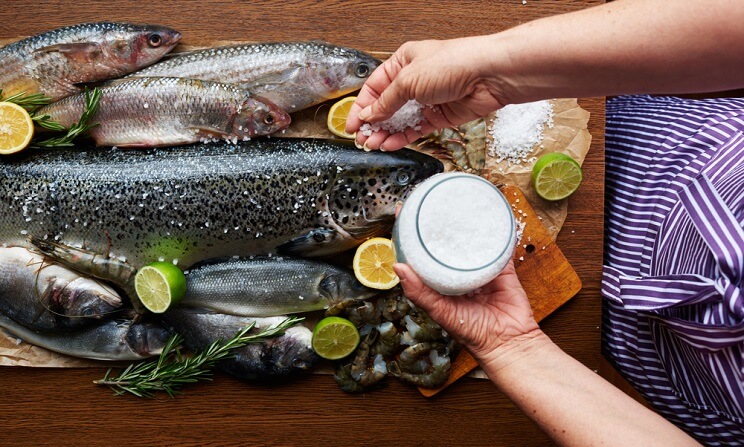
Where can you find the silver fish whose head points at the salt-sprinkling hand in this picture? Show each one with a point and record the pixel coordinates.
(292, 75)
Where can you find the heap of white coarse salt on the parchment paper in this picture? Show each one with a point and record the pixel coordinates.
(518, 128)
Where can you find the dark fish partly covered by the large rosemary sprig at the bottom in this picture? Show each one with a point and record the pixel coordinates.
(278, 357)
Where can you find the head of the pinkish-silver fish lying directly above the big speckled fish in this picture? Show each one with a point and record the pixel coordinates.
(258, 116)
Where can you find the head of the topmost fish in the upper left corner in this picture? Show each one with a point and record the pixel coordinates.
(132, 47)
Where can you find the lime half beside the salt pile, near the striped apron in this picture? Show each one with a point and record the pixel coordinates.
(556, 176)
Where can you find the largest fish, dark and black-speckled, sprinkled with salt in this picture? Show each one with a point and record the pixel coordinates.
(191, 203)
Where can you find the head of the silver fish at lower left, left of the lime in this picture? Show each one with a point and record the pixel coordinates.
(84, 297)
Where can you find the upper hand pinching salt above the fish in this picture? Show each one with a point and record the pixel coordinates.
(449, 75)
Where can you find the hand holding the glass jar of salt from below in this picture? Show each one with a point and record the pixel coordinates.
(497, 315)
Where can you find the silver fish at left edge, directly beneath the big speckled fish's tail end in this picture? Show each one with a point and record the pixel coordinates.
(47, 297)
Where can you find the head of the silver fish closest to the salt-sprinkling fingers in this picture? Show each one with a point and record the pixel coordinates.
(343, 71)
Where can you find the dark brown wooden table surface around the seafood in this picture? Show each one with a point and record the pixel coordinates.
(63, 407)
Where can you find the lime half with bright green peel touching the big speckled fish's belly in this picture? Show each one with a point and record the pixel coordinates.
(160, 285)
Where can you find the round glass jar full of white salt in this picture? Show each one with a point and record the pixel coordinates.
(456, 231)
